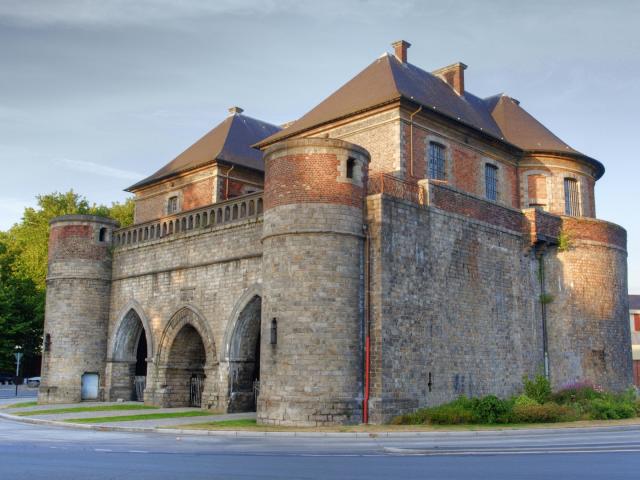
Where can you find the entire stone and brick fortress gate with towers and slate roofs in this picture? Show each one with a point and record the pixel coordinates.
(403, 243)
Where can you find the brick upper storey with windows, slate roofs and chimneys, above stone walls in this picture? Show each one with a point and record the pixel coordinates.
(414, 124)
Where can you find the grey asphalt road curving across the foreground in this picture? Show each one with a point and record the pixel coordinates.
(38, 452)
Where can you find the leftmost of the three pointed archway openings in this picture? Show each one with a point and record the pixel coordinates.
(128, 363)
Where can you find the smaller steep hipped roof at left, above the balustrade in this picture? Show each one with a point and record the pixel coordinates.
(230, 141)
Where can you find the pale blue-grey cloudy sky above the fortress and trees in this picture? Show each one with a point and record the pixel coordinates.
(97, 94)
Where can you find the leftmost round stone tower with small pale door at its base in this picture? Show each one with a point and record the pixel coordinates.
(77, 309)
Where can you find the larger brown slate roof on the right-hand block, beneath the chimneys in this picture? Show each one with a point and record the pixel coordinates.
(387, 80)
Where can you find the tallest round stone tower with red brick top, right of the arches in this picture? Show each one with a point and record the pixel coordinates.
(311, 342)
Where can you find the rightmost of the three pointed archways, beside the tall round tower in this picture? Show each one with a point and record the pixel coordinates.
(244, 359)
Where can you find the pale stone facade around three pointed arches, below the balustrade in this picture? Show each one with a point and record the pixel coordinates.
(206, 271)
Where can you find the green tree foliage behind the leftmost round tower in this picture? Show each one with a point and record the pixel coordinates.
(23, 268)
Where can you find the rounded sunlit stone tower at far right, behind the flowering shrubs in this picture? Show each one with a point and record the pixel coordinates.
(587, 309)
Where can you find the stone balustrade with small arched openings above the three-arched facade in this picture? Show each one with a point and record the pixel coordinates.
(229, 211)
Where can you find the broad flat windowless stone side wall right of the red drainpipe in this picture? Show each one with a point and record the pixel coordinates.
(455, 304)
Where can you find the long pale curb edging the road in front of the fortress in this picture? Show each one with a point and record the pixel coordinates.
(248, 433)
